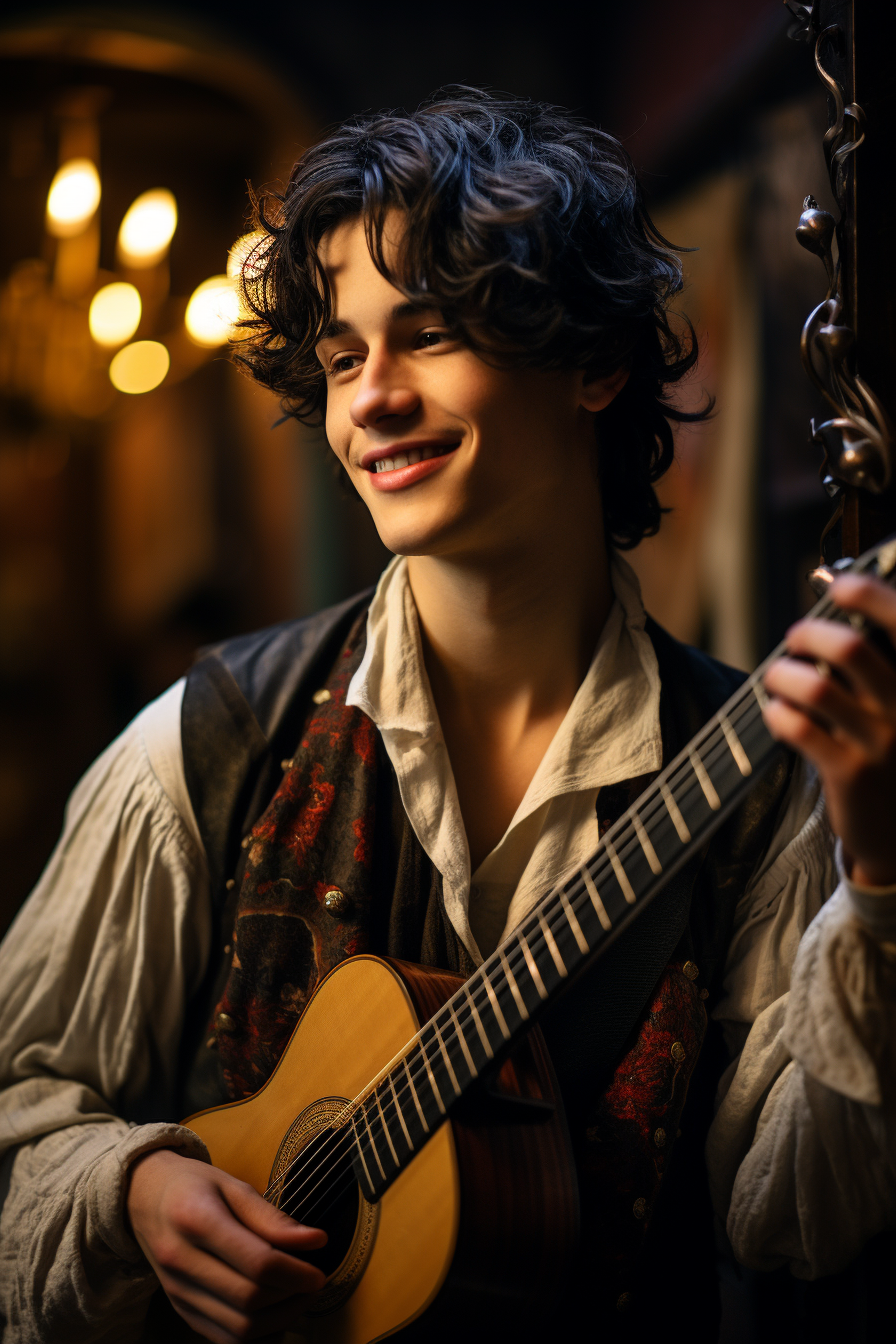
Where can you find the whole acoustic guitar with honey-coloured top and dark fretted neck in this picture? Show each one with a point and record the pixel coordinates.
(414, 1115)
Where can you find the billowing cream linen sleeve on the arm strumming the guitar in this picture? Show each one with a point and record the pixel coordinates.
(96, 974)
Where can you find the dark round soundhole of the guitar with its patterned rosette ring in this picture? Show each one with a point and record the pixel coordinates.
(314, 1182)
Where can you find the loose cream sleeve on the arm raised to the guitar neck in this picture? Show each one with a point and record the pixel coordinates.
(803, 1151)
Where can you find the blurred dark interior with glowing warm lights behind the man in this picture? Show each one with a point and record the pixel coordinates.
(147, 502)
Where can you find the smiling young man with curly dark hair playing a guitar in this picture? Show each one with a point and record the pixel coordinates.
(476, 299)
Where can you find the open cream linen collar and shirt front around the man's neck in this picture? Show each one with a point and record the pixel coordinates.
(611, 733)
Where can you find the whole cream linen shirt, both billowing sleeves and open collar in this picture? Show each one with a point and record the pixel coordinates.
(101, 962)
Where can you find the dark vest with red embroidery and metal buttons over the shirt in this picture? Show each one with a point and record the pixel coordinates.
(330, 868)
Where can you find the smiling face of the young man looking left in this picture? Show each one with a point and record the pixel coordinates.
(453, 458)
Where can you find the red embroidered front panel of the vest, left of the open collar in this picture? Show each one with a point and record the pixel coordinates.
(315, 837)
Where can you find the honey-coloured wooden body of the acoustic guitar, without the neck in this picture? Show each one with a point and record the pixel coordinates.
(478, 1232)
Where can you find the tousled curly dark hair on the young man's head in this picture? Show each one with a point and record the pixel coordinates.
(526, 226)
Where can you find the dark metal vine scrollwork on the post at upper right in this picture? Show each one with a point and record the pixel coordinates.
(859, 442)
